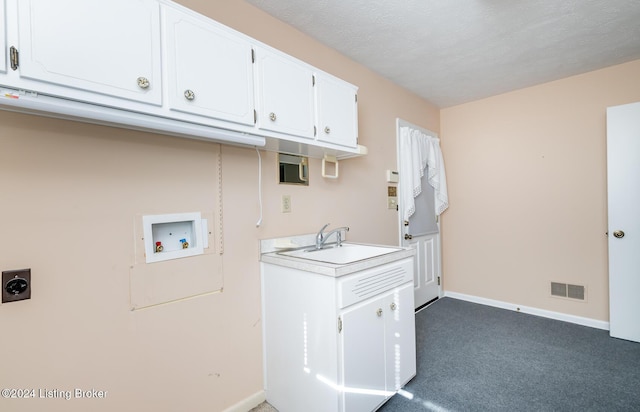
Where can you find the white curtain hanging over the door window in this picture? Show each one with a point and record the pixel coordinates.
(425, 153)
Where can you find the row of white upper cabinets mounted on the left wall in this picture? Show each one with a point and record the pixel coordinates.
(158, 66)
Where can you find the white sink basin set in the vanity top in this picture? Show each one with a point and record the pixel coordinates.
(342, 255)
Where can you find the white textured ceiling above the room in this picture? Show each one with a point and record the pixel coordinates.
(455, 51)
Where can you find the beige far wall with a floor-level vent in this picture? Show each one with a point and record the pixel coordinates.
(527, 185)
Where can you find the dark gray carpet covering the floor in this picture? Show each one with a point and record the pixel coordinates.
(478, 358)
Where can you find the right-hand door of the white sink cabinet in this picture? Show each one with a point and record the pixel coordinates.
(400, 337)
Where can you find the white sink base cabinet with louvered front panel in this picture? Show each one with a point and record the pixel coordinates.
(337, 343)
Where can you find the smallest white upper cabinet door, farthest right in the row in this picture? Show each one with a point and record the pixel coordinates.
(337, 111)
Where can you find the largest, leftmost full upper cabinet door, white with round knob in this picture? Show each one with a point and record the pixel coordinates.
(107, 47)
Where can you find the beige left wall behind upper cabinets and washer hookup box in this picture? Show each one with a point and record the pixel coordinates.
(69, 197)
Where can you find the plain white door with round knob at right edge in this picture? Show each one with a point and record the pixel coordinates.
(623, 183)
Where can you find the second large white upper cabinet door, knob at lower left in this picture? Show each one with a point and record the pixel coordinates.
(210, 69)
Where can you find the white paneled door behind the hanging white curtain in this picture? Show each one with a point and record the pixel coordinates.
(421, 232)
